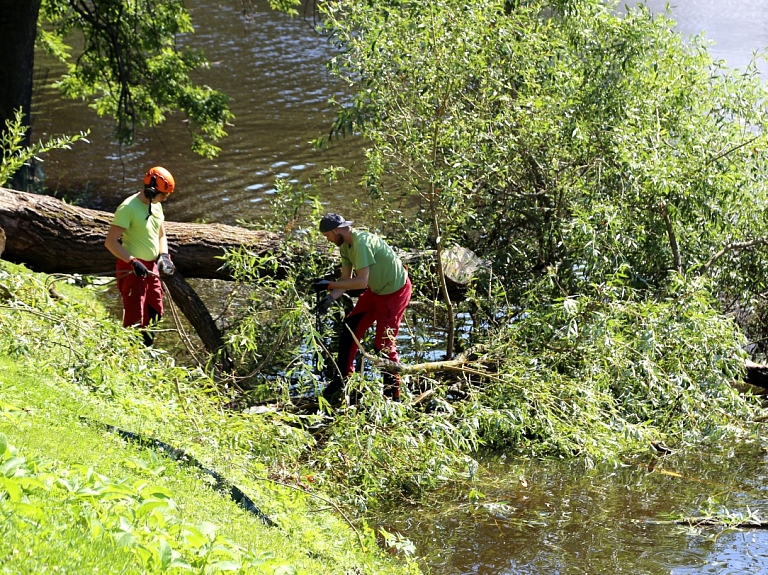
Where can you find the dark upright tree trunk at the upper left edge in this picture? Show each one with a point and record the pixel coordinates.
(18, 27)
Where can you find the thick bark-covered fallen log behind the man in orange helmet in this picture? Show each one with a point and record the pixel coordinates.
(51, 236)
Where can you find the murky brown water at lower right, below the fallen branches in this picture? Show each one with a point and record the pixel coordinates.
(540, 518)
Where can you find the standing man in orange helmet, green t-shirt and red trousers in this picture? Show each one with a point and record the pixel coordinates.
(137, 239)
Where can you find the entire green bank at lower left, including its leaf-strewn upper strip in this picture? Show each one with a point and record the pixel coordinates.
(76, 497)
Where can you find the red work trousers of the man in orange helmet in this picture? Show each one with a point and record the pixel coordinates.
(142, 297)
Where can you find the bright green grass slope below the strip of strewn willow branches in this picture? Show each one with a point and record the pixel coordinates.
(53, 530)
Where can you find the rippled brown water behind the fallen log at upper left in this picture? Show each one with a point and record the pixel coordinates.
(273, 68)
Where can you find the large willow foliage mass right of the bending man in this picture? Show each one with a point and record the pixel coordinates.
(608, 174)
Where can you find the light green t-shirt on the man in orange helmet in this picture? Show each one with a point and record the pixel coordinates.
(142, 235)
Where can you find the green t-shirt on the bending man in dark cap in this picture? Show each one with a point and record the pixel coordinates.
(386, 273)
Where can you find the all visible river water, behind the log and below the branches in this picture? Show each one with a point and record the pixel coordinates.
(535, 518)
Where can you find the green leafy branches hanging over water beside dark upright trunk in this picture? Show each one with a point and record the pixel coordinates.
(132, 67)
